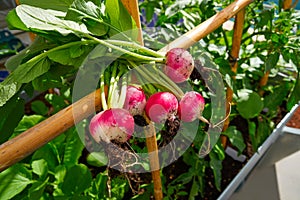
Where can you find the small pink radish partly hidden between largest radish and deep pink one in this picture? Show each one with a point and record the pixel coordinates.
(135, 101)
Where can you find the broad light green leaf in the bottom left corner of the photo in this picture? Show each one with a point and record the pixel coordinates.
(13, 181)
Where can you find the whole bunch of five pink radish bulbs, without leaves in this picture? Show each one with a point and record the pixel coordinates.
(117, 124)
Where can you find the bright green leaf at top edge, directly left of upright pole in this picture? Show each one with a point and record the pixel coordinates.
(119, 17)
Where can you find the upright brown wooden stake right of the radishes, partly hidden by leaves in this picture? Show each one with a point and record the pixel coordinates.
(234, 54)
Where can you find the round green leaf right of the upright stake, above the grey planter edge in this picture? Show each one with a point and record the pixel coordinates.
(249, 104)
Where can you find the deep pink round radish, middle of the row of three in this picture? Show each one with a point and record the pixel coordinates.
(161, 106)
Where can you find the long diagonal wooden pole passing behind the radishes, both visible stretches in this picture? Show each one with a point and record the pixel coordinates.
(26, 143)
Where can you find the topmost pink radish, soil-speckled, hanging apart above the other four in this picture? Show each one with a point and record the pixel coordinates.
(179, 65)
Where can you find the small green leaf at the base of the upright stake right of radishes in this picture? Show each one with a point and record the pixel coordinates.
(235, 138)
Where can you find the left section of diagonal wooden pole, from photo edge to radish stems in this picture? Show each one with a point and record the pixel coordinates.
(24, 144)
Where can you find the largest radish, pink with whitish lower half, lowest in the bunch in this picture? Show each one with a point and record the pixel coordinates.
(113, 124)
